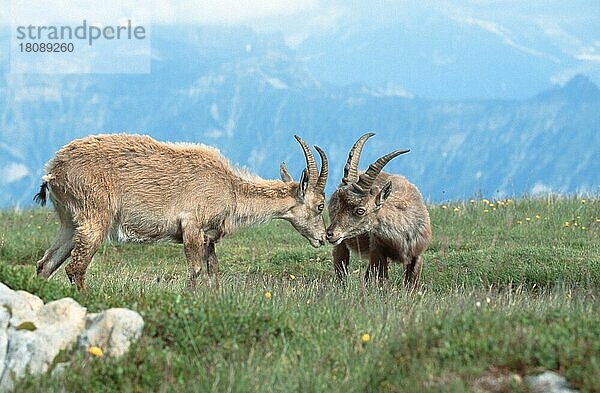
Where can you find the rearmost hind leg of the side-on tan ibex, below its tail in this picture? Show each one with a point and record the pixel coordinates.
(61, 248)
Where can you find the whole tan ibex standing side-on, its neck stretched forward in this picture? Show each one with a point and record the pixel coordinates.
(131, 187)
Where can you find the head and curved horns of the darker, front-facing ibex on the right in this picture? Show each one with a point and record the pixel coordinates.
(354, 205)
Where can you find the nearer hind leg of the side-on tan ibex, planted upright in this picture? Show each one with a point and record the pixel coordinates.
(87, 239)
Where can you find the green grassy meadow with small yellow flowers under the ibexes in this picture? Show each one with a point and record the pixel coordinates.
(496, 295)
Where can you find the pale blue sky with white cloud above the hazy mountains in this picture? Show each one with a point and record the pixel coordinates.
(434, 49)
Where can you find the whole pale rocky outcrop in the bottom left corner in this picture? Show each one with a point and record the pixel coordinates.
(32, 333)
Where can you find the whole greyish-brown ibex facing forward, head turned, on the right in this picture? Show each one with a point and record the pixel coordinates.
(379, 216)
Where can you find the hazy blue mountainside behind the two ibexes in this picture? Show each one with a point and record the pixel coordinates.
(248, 94)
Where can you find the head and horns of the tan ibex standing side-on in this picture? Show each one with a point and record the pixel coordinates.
(306, 215)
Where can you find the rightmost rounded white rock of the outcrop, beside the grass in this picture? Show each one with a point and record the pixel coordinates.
(112, 331)
